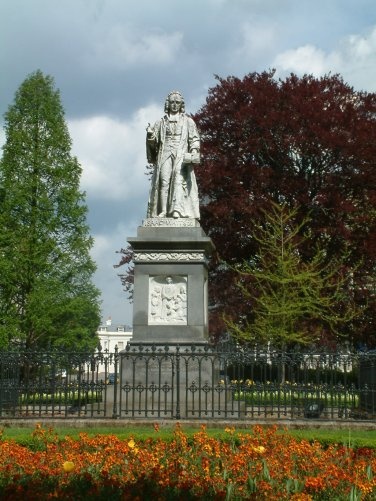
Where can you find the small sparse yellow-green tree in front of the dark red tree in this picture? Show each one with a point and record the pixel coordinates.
(293, 301)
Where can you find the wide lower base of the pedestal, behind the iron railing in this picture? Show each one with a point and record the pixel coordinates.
(175, 381)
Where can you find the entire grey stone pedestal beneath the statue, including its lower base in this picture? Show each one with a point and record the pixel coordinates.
(169, 369)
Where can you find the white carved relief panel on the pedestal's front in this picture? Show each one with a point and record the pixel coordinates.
(167, 300)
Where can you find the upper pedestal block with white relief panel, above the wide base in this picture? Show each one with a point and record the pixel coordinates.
(170, 282)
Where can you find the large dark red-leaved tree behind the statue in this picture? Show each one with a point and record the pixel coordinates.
(305, 142)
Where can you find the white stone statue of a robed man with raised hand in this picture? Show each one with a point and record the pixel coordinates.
(173, 147)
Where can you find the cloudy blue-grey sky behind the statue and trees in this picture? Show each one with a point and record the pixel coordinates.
(115, 61)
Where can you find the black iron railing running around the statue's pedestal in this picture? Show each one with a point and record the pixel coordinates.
(189, 382)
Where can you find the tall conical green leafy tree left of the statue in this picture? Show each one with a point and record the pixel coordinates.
(47, 297)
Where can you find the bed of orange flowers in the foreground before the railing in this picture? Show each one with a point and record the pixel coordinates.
(260, 464)
